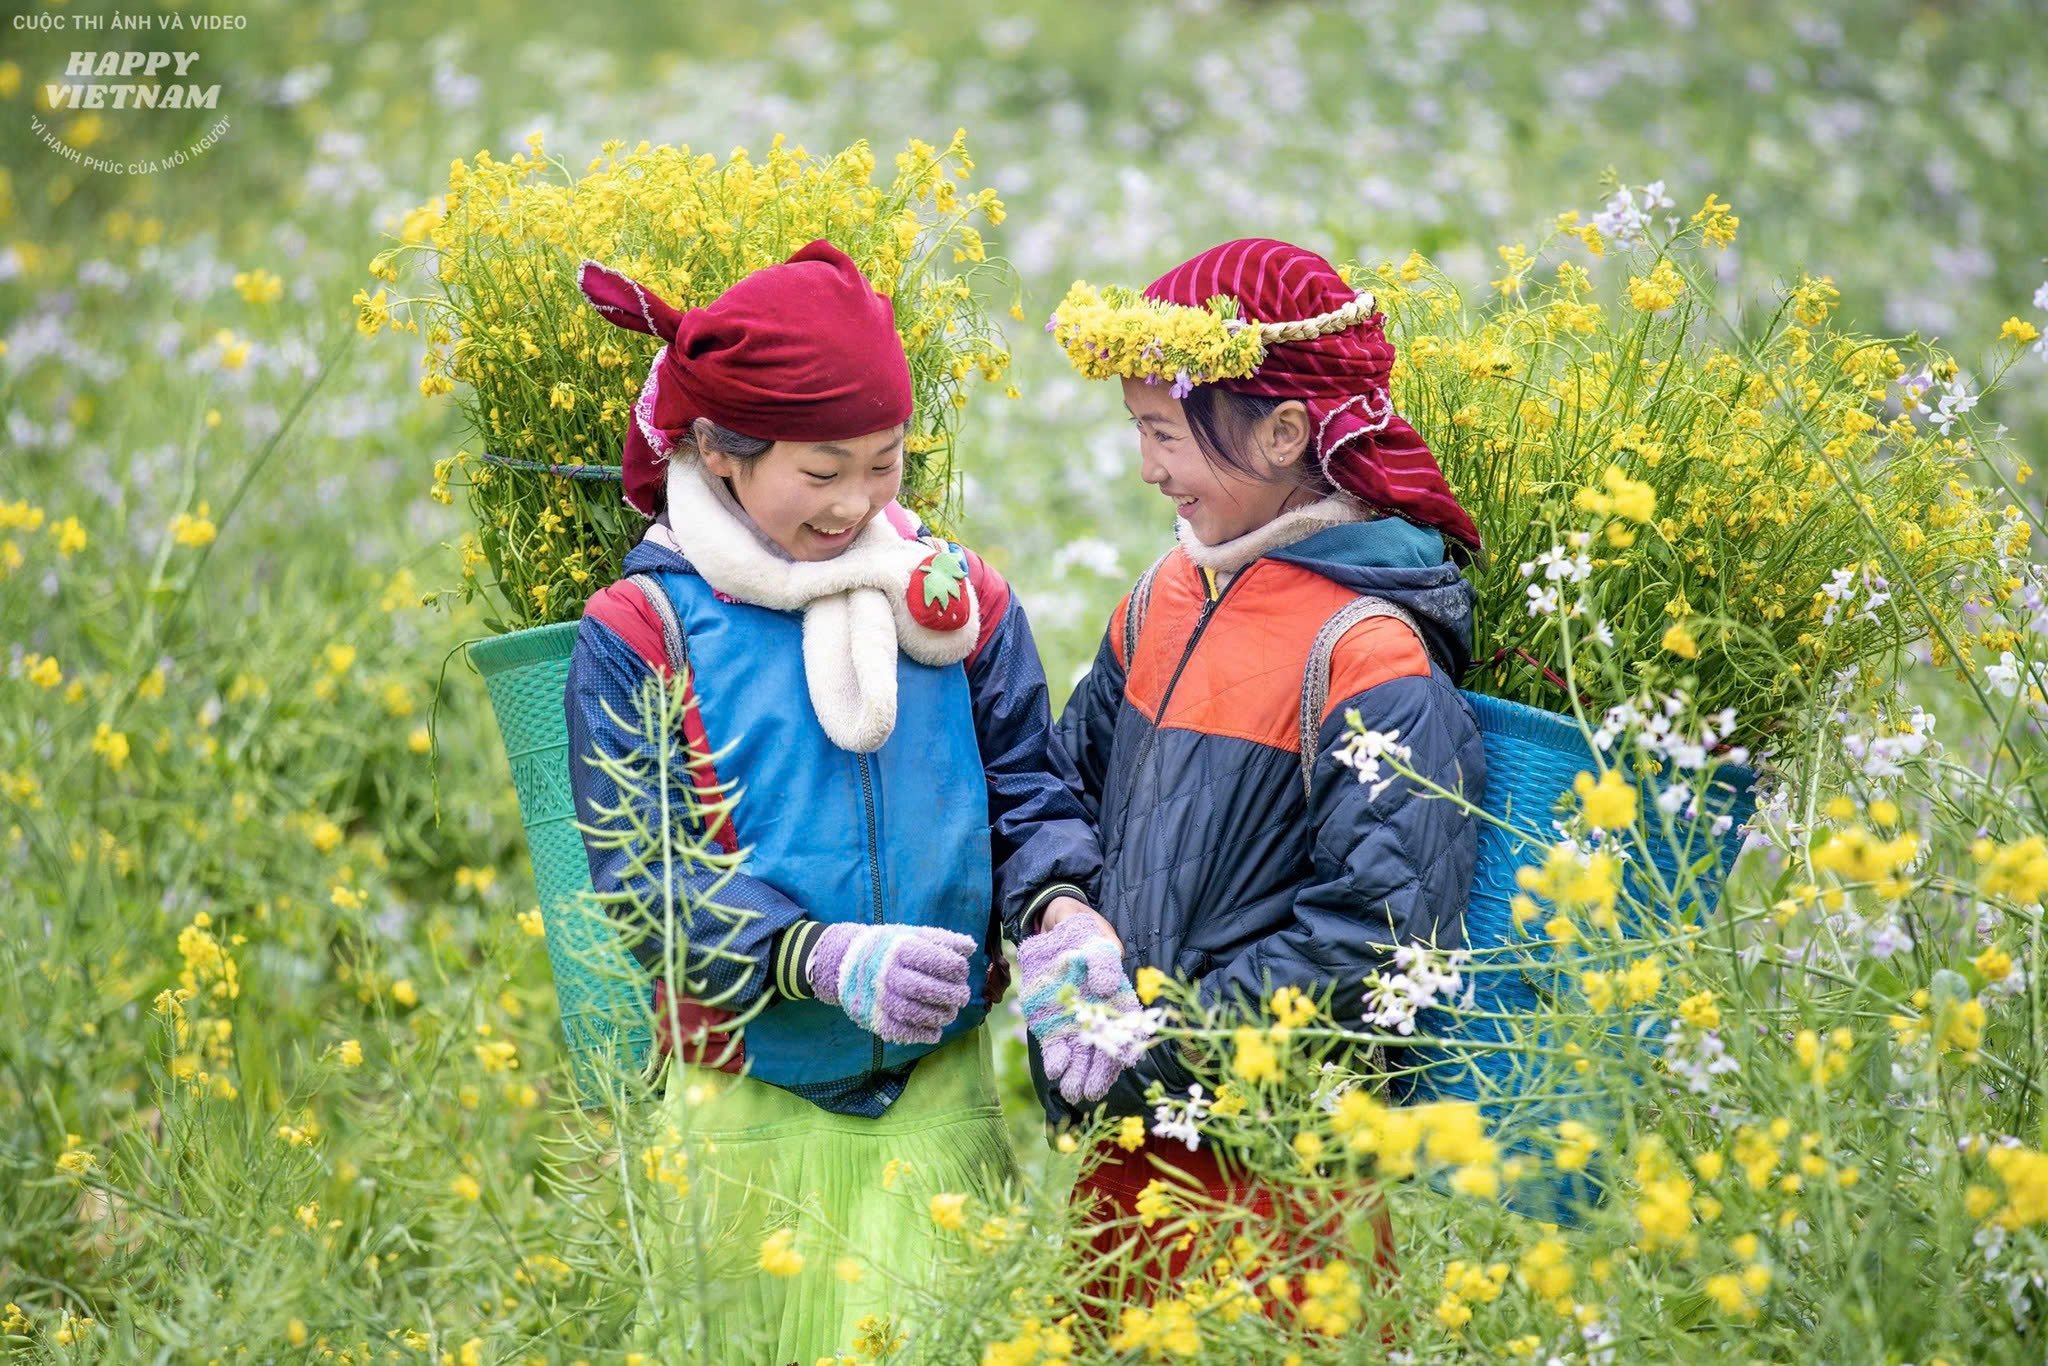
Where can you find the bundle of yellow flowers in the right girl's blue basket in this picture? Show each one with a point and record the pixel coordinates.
(1672, 505)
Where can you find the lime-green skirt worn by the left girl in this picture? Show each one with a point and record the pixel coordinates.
(855, 1197)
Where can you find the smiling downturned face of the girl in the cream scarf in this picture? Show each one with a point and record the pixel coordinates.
(814, 499)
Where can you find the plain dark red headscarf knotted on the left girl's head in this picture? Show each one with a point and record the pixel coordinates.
(804, 351)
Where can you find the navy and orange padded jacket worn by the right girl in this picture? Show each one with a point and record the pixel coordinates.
(1215, 865)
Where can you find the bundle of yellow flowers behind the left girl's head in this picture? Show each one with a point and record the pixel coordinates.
(546, 386)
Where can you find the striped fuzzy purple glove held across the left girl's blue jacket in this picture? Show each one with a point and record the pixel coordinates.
(900, 982)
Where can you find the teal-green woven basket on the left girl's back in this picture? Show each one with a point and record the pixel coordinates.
(599, 990)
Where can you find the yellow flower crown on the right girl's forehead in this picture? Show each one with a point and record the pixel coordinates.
(1117, 333)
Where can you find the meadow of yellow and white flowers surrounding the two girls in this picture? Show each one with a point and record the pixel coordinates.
(1725, 325)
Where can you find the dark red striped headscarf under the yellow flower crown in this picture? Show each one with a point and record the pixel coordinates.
(1363, 443)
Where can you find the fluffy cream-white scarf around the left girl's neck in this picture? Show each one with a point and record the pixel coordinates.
(855, 607)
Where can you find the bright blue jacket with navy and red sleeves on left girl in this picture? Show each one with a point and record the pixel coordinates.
(968, 818)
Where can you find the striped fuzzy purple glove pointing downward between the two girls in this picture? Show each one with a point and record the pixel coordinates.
(1064, 972)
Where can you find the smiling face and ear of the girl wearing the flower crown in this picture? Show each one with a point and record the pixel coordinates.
(1218, 503)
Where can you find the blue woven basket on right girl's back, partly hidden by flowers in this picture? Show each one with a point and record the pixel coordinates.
(1496, 1054)
